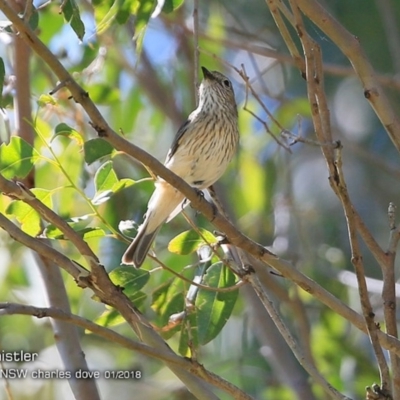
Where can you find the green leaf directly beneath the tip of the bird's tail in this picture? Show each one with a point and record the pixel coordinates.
(131, 279)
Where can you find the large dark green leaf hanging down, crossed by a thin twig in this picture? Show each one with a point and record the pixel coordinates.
(214, 308)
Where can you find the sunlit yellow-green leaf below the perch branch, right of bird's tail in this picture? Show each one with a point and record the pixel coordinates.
(189, 241)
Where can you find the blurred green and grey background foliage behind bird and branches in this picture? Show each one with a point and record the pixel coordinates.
(144, 84)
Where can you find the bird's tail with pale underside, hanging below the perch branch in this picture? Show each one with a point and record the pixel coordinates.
(163, 202)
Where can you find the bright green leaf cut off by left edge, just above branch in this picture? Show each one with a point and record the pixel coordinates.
(17, 158)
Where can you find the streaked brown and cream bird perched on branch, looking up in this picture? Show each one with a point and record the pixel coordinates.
(200, 153)
